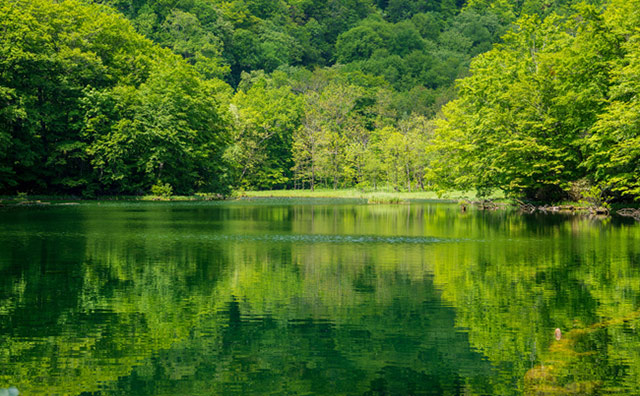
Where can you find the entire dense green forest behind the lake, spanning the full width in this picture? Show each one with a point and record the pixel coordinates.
(536, 98)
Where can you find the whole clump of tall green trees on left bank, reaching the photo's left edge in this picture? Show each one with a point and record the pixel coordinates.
(90, 106)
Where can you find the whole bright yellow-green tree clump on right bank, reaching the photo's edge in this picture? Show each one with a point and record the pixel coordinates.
(546, 109)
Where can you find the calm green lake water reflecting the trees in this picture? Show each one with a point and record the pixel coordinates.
(284, 297)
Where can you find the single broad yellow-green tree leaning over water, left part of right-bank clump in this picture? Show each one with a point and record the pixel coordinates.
(521, 115)
